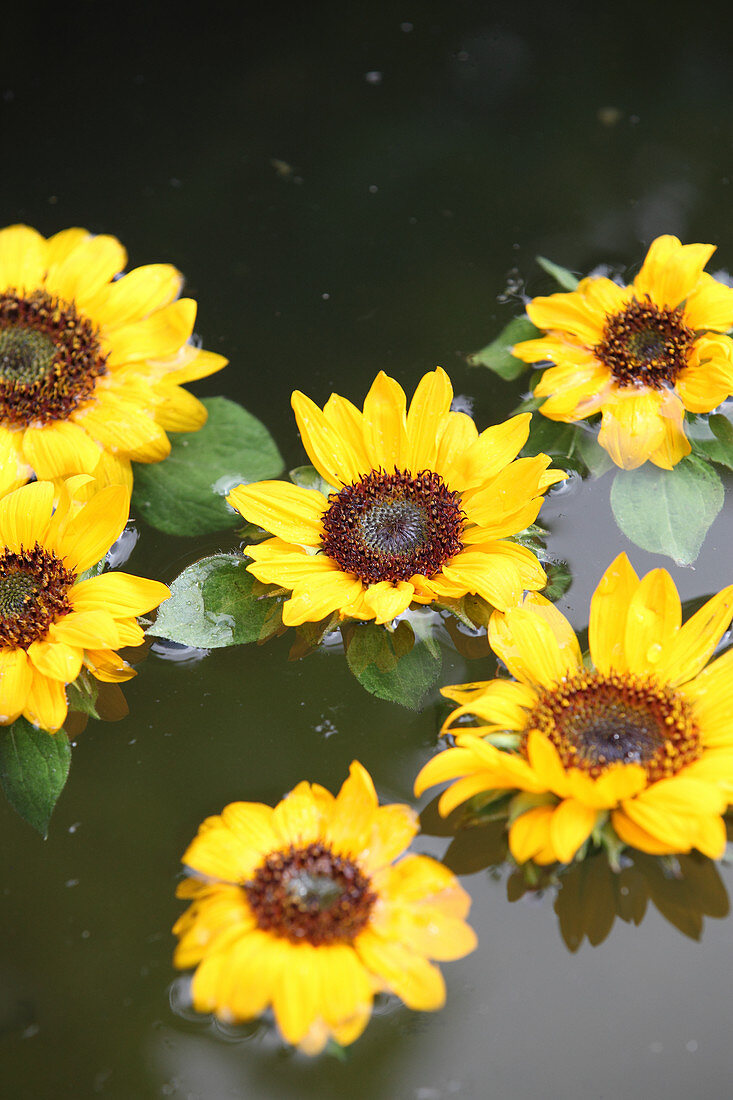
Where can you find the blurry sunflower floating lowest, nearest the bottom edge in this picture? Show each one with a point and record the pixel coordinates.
(303, 908)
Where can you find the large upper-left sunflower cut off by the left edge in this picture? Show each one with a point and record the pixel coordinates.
(91, 365)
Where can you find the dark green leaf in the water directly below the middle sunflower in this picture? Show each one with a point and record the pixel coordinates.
(389, 666)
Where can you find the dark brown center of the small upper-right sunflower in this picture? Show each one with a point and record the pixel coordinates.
(647, 345)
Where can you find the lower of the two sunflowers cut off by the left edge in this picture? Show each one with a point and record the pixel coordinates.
(53, 623)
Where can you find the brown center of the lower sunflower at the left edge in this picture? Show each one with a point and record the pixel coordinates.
(34, 595)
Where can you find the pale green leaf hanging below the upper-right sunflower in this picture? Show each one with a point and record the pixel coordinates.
(669, 511)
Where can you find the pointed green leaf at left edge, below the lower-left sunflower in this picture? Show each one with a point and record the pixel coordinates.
(34, 771)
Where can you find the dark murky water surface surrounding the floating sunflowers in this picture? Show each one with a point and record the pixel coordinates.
(430, 153)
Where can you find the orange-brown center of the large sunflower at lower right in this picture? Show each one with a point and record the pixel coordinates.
(597, 721)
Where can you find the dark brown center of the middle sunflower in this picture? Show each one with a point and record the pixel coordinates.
(388, 527)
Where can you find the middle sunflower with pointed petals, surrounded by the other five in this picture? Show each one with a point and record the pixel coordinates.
(421, 511)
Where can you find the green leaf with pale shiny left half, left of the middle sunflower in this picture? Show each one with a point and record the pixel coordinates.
(216, 603)
